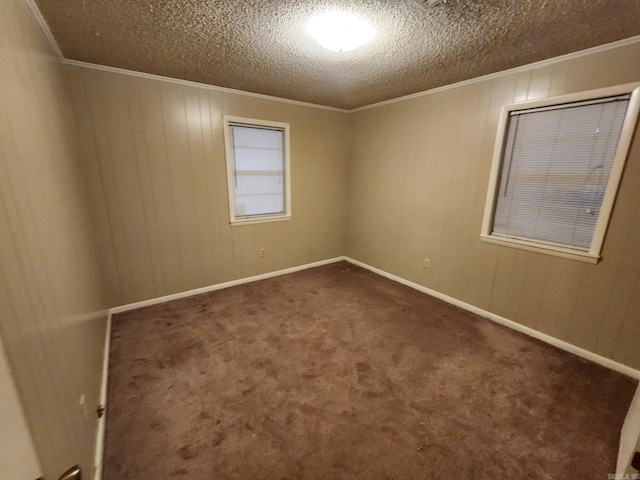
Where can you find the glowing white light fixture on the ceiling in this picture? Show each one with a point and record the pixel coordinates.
(340, 32)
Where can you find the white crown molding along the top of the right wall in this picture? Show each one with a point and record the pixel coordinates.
(522, 68)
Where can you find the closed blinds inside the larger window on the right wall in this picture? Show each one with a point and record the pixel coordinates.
(555, 170)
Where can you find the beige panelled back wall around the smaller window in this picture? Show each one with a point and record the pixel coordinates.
(155, 153)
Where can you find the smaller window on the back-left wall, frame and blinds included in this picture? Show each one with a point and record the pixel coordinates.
(257, 170)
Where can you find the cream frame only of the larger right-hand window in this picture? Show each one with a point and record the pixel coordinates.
(626, 135)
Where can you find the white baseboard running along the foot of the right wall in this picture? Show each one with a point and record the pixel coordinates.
(561, 344)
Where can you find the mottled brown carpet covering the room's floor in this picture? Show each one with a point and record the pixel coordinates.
(335, 372)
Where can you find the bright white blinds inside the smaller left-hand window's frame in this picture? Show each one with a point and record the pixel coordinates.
(258, 176)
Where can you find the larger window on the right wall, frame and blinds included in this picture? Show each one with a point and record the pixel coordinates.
(557, 167)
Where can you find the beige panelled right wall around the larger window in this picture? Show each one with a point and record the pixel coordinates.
(418, 177)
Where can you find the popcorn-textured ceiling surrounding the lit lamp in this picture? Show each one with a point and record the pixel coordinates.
(263, 46)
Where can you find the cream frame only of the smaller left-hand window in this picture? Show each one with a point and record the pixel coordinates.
(275, 217)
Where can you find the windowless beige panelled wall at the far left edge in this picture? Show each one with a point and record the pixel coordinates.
(50, 291)
